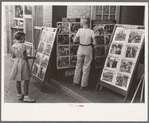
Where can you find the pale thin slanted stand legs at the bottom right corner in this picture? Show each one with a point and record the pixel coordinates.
(142, 81)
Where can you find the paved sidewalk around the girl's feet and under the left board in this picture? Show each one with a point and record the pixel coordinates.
(49, 95)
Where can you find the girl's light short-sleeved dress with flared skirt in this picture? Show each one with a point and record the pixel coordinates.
(21, 69)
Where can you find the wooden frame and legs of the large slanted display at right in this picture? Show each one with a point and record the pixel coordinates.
(110, 86)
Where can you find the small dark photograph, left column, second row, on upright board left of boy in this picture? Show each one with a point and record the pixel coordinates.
(63, 39)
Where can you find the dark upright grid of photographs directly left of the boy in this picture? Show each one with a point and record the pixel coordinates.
(66, 49)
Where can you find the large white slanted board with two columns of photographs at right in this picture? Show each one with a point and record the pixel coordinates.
(122, 56)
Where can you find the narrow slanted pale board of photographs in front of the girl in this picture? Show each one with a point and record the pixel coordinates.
(44, 49)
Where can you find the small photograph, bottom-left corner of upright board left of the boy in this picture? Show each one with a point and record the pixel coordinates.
(63, 62)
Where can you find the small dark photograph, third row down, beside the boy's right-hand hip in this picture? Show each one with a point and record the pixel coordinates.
(99, 50)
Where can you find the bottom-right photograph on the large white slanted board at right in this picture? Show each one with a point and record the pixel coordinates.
(122, 80)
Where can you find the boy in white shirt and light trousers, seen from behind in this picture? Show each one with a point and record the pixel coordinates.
(84, 54)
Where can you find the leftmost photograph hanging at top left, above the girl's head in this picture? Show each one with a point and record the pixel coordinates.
(18, 11)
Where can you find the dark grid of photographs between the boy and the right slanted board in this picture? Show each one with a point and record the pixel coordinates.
(103, 34)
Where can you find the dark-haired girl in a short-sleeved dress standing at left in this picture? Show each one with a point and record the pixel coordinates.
(21, 69)
